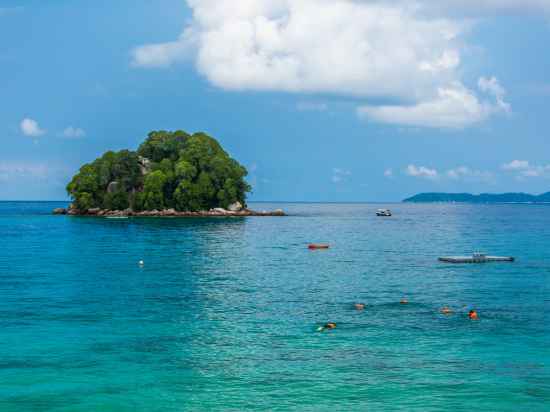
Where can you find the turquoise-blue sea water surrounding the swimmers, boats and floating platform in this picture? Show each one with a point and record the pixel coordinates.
(223, 314)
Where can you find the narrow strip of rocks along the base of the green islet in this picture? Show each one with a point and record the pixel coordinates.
(217, 212)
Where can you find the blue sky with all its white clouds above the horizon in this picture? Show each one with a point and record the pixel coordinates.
(321, 100)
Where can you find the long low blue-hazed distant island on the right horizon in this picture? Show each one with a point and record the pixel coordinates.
(481, 198)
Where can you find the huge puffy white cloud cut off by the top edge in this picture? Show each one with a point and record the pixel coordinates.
(339, 46)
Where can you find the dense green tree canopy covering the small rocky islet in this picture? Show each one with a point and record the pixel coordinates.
(169, 170)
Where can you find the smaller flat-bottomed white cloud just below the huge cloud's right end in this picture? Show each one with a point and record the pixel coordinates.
(453, 107)
